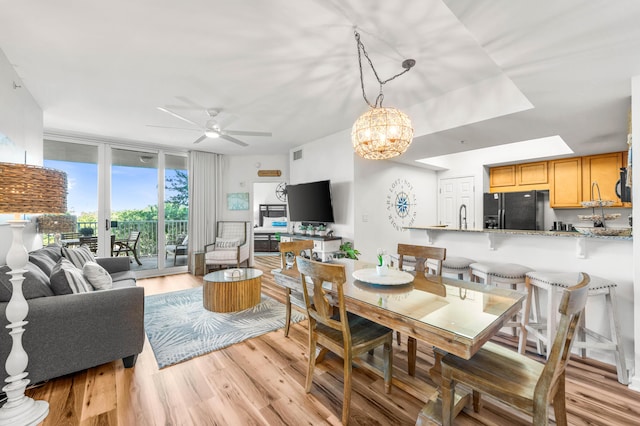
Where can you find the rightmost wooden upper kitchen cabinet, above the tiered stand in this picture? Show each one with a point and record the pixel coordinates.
(605, 170)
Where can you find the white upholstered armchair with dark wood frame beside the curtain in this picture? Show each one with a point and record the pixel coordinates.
(231, 247)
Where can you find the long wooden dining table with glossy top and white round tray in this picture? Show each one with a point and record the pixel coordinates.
(451, 315)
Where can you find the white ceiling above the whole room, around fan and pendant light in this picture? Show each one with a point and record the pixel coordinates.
(488, 72)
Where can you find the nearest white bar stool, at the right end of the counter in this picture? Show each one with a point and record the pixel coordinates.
(544, 331)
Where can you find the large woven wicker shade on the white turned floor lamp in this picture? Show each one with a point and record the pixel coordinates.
(32, 189)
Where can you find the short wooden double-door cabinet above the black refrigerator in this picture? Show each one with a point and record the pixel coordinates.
(519, 177)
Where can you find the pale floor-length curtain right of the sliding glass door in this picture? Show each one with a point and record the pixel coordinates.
(205, 186)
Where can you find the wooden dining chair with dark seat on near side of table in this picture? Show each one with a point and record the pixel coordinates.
(347, 335)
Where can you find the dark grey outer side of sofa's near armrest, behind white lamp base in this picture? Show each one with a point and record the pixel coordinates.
(73, 332)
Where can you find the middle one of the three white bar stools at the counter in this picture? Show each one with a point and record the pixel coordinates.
(495, 274)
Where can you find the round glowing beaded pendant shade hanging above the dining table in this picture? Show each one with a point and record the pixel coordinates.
(381, 133)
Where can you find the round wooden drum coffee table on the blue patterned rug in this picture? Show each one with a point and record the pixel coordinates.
(229, 294)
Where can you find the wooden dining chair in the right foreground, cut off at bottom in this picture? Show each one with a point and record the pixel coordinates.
(515, 379)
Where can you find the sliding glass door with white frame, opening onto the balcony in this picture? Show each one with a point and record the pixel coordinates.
(134, 201)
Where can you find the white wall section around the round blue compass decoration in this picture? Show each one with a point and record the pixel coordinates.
(377, 224)
